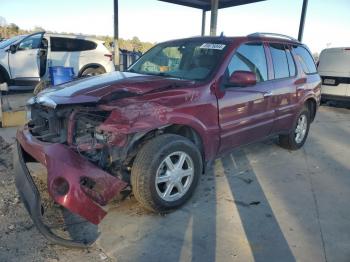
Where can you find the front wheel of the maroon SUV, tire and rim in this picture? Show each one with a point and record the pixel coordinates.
(165, 172)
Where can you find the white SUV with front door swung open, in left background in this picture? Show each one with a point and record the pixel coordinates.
(24, 59)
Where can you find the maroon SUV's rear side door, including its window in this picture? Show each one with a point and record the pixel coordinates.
(285, 84)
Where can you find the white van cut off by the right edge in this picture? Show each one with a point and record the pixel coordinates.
(334, 68)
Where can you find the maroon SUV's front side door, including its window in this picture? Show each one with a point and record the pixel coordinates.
(245, 113)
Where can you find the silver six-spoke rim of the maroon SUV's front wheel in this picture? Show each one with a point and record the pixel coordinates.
(174, 176)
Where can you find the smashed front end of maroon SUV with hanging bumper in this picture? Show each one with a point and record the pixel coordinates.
(84, 163)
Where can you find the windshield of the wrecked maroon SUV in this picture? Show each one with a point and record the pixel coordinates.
(192, 60)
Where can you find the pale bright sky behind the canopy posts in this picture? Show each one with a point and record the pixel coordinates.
(327, 22)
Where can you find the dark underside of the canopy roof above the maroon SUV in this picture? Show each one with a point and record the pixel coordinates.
(206, 4)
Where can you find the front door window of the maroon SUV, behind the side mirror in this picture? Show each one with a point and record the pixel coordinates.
(250, 57)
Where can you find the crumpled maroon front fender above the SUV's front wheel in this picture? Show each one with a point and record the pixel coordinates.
(183, 106)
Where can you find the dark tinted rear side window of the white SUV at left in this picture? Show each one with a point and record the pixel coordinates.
(61, 44)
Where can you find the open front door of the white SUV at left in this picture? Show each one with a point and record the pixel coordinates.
(25, 61)
